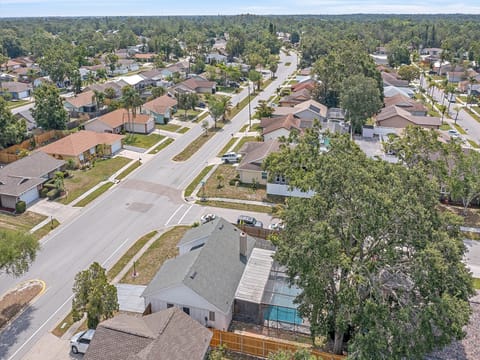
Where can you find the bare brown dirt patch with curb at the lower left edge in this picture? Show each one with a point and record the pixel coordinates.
(17, 299)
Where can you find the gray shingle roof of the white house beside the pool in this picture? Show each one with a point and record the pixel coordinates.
(212, 271)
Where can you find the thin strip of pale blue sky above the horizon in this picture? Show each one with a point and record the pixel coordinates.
(28, 8)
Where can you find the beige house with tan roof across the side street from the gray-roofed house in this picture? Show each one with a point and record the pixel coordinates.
(253, 153)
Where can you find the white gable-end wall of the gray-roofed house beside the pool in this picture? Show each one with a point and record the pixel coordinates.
(181, 296)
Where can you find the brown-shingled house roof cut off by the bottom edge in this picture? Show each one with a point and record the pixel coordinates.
(167, 334)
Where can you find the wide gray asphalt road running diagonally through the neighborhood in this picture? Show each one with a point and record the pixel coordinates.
(150, 199)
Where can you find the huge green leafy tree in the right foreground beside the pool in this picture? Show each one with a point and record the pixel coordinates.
(375, 260)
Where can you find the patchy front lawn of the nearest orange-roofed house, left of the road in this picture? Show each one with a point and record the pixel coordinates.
(83, 180)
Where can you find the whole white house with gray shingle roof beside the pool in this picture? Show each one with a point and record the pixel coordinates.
(203, 279)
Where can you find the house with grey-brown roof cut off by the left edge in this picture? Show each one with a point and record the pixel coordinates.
(23, 179)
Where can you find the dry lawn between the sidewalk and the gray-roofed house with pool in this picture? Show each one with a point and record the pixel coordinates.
(164, 248)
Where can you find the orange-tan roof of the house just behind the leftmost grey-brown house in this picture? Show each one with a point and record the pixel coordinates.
(79, 142)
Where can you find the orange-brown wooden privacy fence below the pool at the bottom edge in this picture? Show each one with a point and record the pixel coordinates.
(259, 346)
